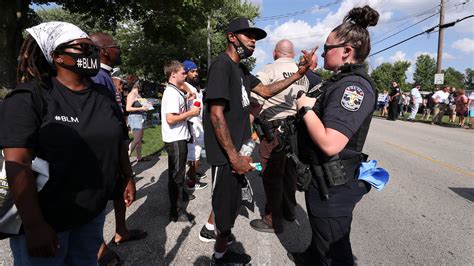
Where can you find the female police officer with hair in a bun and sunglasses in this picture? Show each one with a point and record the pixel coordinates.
(331, 136)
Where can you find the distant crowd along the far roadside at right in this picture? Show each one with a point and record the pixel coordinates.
(445, 101)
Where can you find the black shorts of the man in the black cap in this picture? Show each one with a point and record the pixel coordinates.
(226, 197)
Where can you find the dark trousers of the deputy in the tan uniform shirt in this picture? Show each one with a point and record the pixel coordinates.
(279, 182)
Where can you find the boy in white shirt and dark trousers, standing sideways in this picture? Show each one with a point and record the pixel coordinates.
(175, 133)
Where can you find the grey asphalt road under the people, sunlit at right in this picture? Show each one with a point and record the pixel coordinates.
(424, 215)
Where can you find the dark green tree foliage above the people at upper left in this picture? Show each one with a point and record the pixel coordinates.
(150, 32)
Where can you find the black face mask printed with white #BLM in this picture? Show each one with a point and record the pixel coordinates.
(87, 63)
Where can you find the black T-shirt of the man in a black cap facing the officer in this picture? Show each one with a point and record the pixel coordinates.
(231, 82)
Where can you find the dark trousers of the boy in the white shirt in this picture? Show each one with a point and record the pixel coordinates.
(177, 153)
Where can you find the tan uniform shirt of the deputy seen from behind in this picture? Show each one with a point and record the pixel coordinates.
(283, 104)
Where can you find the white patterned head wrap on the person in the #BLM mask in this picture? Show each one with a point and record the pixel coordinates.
(50, 35)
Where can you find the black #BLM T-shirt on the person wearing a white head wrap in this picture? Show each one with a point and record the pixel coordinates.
(80, 135)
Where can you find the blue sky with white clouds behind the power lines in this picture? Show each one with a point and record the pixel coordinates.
(307, 23)
